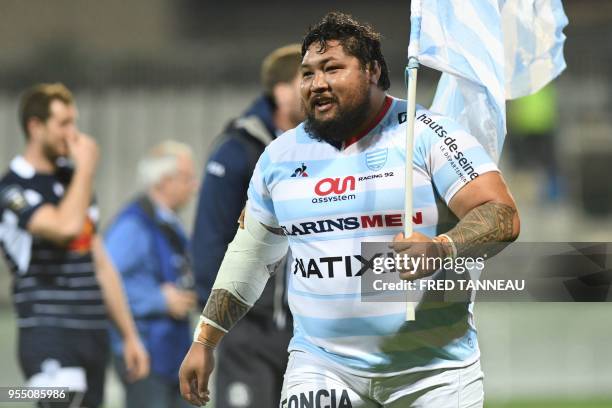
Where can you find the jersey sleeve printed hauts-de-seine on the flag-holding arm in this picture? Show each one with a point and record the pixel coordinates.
(451, 156)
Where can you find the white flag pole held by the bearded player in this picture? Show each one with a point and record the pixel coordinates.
(411, 81)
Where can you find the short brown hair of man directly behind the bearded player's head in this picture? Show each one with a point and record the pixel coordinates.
(280, 66)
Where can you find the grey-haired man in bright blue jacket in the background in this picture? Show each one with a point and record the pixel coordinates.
(148, 245)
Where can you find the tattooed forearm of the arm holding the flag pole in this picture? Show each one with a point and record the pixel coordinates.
(488, 223)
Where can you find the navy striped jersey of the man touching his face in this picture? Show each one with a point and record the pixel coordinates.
(54, 285)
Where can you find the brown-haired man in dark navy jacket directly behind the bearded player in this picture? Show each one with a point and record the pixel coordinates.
(253, 358)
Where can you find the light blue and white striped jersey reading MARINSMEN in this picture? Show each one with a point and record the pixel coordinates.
(329, 200)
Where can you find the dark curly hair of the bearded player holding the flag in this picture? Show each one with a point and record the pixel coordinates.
(357, 39)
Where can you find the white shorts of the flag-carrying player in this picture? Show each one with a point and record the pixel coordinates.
(312, 382)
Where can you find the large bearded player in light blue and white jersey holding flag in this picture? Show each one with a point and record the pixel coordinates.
(345, 352)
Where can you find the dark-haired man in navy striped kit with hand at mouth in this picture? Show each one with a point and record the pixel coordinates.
(64, 283)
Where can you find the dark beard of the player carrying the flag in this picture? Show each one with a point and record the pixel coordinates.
(343, 124)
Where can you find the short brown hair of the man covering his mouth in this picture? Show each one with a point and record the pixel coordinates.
(36, 101)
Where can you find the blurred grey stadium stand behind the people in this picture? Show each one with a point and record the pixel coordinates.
(147, 70)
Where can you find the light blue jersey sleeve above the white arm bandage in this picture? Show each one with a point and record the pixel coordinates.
(259, 204)
